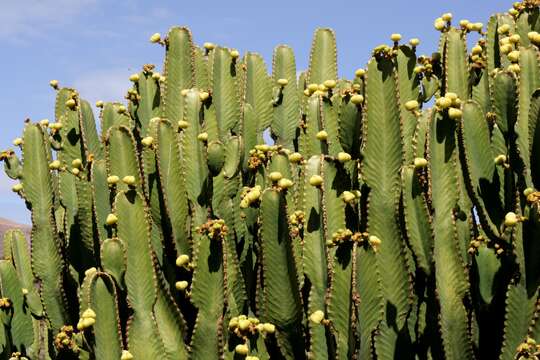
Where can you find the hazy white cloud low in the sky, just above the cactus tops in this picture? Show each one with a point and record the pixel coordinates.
(106, 85)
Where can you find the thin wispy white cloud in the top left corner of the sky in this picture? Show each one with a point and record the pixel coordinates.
(29, 18)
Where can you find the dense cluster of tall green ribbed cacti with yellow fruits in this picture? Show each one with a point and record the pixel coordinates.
(225, 212)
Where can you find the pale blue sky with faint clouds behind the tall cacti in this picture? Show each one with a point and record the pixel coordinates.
(94, 45)
